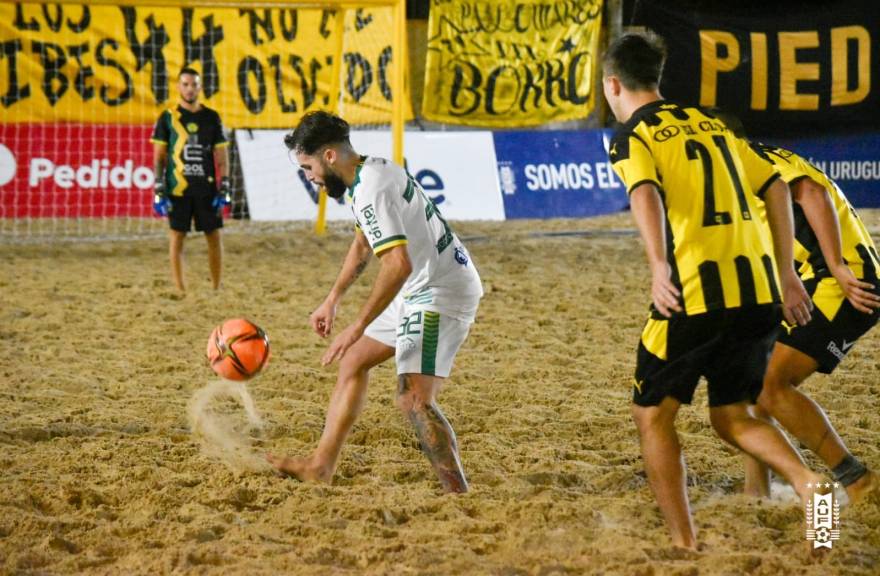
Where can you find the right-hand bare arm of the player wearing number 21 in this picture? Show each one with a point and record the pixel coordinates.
(796, 303)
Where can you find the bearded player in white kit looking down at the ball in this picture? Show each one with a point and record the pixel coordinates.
(420, 309)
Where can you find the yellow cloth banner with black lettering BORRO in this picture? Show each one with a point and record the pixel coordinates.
(511, 63)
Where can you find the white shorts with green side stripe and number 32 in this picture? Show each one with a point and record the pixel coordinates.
(425, 341)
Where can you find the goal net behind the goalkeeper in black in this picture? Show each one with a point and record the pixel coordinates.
(82, 85)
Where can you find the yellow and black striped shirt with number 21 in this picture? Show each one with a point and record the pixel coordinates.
(719, 249)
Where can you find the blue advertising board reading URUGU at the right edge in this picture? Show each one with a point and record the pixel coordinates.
(853, 162)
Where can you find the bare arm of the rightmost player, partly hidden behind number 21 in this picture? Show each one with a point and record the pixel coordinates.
(816, 203)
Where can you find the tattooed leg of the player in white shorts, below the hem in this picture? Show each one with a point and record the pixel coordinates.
(436, 437)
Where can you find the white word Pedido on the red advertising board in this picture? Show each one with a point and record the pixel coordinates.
(96, 174)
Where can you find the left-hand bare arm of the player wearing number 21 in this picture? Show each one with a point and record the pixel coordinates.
(647, 209)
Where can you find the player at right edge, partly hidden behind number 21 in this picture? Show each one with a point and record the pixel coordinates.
(838, 262)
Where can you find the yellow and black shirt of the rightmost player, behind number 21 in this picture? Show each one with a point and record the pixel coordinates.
(858, 248)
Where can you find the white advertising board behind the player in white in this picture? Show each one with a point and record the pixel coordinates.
(455, 169)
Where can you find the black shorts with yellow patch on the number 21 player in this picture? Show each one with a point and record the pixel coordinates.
(729, 347)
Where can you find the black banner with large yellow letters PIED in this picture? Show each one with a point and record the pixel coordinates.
(786, 68)
